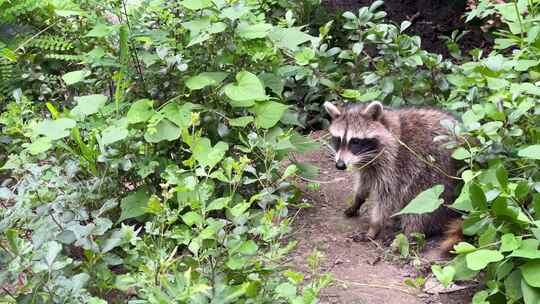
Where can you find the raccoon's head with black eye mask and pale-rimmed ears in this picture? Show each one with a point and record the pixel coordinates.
(358, 133)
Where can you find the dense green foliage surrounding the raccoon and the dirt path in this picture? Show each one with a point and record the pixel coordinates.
(142, 144)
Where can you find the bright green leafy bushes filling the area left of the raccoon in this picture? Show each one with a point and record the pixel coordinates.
(144, 147)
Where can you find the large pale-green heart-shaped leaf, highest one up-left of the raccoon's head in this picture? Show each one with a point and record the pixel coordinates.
(246, 91)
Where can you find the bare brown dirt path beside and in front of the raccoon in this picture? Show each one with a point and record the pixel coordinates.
(363, 272)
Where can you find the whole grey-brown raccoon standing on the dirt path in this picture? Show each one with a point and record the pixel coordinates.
(376, 142)
